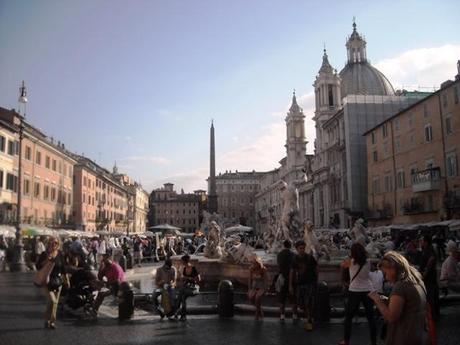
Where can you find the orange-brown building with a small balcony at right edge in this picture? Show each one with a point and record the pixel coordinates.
(412, 157)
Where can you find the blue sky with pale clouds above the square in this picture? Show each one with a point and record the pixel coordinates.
(138, 82)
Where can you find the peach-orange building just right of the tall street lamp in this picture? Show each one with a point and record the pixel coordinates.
(46, 177)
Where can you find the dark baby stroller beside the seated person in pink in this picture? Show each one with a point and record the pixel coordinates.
(81, 292)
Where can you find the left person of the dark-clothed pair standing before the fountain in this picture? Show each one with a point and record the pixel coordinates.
(284, 260)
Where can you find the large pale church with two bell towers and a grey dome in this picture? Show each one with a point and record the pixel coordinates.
(347, 104)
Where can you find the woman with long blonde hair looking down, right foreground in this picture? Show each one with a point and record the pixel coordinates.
(404, 311)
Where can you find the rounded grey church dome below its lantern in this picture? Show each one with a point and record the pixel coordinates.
(363, 79)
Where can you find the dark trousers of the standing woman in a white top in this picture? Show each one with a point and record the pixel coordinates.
(354, 300)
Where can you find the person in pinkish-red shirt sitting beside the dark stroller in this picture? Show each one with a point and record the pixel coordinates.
(114, 275)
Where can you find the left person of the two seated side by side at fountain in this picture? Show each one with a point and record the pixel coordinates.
(165, 280)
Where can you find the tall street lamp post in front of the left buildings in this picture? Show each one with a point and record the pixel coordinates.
(18, 263)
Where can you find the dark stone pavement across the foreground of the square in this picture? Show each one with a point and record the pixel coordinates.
(22, 305)
